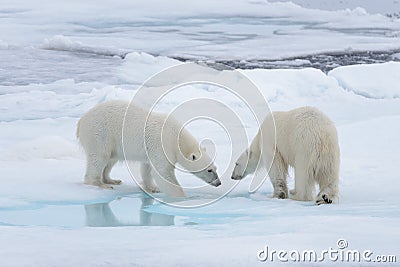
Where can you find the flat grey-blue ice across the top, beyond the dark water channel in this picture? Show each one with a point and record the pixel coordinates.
(277, 30)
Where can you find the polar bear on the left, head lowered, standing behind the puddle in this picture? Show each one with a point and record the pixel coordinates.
(155, 140)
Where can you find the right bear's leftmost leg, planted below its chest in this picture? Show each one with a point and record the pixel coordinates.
(277, 174)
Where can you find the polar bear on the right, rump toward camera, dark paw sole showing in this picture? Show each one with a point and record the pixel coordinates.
(305, 139)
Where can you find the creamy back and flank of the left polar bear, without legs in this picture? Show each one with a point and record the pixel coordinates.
(101, 130)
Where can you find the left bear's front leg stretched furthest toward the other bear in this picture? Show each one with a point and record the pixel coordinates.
(164, 177)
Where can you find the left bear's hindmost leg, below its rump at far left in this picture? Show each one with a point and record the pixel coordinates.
(94, 171)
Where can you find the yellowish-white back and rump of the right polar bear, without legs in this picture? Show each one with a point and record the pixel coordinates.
(303, 132)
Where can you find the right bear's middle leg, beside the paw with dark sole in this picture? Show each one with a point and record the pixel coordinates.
(304, 181)
